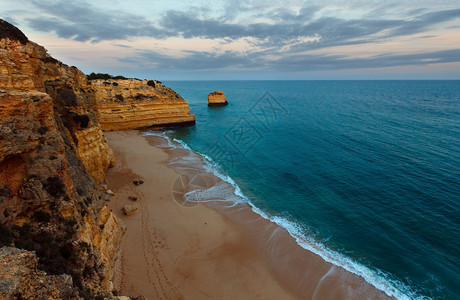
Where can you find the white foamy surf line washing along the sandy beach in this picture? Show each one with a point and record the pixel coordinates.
(233, 195)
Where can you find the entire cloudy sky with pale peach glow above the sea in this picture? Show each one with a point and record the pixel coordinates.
(247, 40)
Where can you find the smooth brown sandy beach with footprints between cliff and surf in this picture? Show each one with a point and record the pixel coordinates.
(209, 250)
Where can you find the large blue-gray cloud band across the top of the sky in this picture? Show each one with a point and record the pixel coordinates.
(82, 21)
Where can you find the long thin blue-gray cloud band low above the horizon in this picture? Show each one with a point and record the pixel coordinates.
(306, 62)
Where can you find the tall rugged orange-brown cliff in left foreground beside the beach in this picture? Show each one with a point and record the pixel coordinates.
(52, 155)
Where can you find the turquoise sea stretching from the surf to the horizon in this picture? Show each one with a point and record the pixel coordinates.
(367, 170)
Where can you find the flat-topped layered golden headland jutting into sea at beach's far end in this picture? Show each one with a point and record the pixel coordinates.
(131, 103)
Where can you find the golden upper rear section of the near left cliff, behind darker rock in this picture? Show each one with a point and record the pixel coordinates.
(27, 67)
